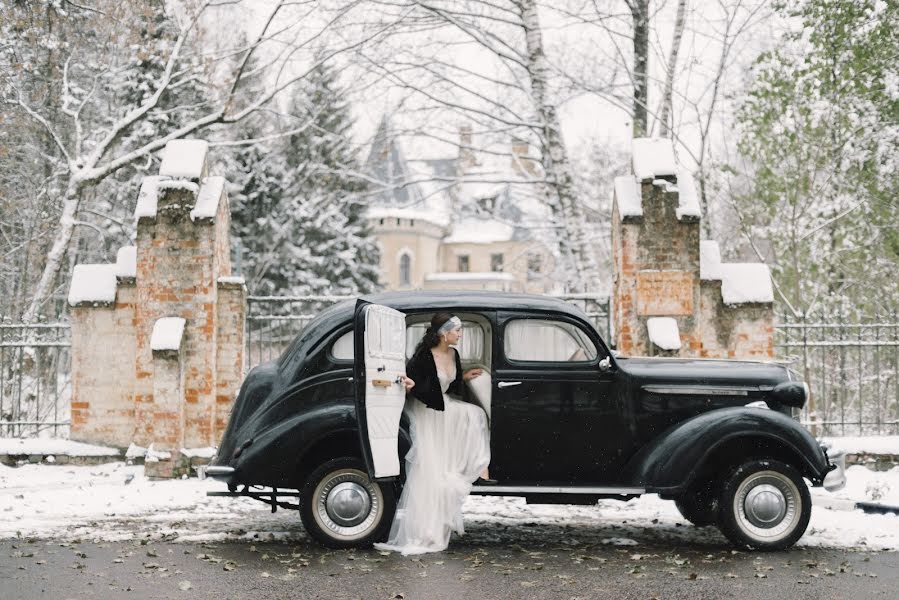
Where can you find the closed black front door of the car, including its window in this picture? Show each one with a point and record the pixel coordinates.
(556, 414)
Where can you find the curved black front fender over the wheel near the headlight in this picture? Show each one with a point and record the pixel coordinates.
(670, 463)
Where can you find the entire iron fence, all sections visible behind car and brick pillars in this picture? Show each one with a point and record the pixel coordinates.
(852, 367)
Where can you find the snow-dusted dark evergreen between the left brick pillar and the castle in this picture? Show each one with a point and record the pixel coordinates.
(297, 201)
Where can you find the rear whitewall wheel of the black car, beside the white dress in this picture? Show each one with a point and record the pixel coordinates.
(342, 508)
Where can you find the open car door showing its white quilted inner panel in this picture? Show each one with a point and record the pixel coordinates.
(380, 356)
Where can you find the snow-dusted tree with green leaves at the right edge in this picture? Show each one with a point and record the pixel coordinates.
(819, 130)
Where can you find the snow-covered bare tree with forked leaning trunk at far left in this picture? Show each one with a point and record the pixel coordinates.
(89, 155)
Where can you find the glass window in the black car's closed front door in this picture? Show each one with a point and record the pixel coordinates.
(544, 340)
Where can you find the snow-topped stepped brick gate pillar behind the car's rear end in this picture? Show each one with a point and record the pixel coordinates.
(123, 391)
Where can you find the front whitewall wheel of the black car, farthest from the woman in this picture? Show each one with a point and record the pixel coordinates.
(764, 505)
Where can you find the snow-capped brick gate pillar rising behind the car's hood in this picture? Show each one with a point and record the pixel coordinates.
(658, 280)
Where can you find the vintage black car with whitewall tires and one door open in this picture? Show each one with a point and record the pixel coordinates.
(570, 422)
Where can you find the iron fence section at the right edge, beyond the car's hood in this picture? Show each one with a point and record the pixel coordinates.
(852, 369)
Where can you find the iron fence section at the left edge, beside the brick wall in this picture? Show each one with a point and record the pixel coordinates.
(34, 379)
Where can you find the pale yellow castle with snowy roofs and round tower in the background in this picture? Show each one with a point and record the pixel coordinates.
(451, 217)
